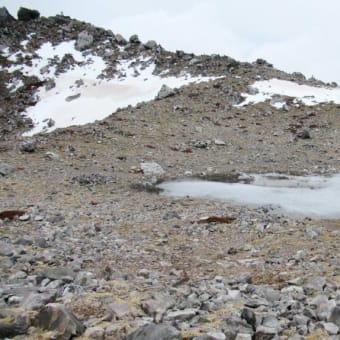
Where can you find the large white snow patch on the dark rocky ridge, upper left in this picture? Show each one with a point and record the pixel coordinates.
(80, 94)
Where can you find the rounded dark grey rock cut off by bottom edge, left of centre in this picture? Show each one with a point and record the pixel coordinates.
(155, 332)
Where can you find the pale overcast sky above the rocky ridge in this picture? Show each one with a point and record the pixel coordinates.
(294, 35)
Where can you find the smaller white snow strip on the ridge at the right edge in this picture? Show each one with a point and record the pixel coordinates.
(308, 95)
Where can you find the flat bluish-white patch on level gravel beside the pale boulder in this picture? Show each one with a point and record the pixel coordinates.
(310, 196)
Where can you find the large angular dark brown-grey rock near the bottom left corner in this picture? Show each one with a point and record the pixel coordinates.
(56, 317)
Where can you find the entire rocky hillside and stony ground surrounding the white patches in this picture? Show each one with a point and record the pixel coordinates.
(86, 239)
